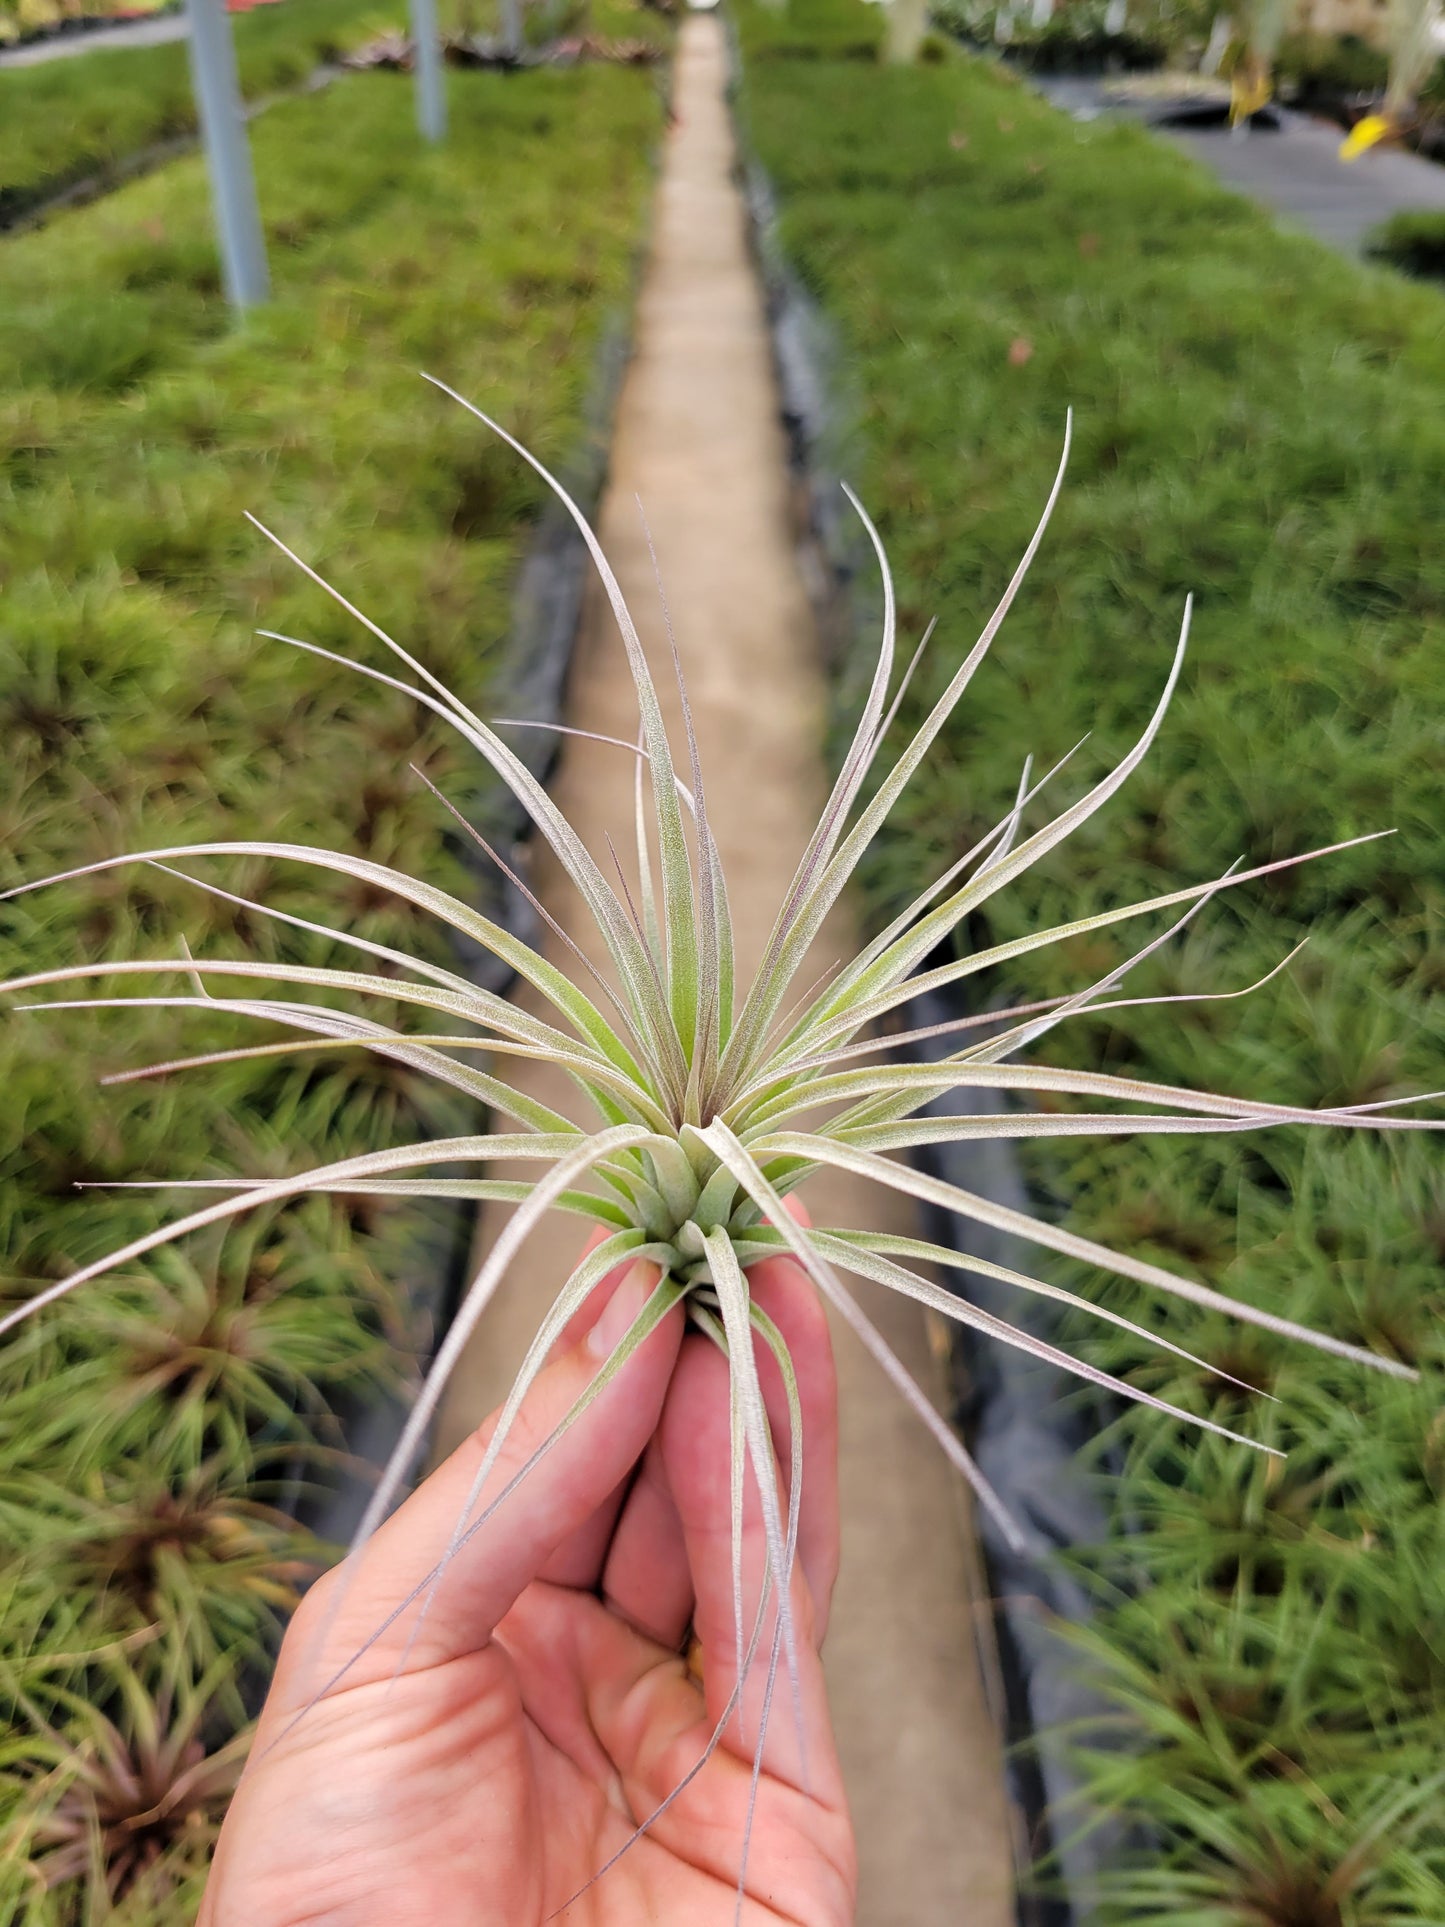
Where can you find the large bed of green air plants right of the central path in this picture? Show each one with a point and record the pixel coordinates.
(1253, 423)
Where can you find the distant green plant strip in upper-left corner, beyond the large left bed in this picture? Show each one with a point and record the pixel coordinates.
(66, 120)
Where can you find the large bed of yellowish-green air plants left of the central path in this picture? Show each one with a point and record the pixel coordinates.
(157, 1429)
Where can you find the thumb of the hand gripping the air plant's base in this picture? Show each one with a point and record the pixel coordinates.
(363, 1616)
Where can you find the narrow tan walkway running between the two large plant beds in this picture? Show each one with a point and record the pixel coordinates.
(698, 438)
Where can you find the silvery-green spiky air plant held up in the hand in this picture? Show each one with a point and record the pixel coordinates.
(708, 1101)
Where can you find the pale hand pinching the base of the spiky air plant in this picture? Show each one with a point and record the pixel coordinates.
(479, 1772)
